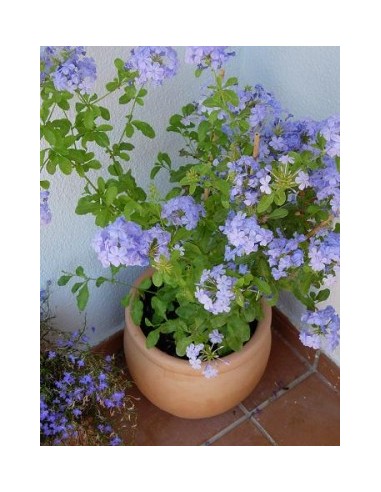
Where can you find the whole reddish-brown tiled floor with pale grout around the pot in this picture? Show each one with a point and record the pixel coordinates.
(297, 403)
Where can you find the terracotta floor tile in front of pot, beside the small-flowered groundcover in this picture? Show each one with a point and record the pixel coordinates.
(158, 428)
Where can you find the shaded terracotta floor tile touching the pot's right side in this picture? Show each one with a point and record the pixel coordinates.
(283, 367)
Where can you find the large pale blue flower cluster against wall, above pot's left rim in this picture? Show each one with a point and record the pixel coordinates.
(126, 243)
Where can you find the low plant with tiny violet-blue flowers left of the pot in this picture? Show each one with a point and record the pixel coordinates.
(82, 394)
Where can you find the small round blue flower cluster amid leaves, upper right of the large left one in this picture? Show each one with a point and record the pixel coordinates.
(182, 211)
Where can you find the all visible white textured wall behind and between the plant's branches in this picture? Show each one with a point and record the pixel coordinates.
(305, 80)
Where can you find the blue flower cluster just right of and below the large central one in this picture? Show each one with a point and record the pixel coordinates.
(284, 254)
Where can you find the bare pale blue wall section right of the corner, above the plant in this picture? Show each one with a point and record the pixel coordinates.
(305, 79)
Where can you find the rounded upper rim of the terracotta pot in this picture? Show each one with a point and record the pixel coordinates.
(166, 361)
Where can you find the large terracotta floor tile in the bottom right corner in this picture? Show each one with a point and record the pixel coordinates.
(307, 415)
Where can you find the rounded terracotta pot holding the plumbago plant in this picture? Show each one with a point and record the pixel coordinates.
(174, 386)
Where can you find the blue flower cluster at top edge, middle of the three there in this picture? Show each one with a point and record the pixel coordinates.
(154, 63)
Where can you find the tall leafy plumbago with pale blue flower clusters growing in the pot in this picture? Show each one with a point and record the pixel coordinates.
(252, 211)
